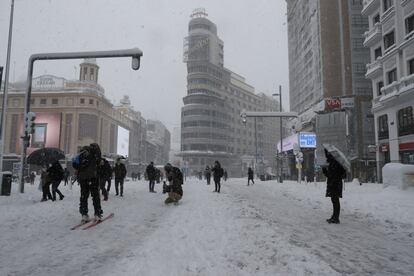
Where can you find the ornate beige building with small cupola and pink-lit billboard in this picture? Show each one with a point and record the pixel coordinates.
(74, 113)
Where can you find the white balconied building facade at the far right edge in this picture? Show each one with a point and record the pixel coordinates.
(390, 40)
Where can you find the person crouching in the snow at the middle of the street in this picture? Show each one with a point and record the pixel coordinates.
(174, 189)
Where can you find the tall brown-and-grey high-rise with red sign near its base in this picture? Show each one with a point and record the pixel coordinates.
(327, 85)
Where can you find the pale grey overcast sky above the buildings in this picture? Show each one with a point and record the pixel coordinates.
(254, 34)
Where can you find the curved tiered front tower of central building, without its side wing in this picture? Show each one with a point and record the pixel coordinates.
(205, 118)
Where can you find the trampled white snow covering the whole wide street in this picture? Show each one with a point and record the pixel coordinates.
(264, 229)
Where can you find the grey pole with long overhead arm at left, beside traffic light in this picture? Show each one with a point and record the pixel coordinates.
(135, 53)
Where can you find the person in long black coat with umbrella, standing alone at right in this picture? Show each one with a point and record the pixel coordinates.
(334, 173)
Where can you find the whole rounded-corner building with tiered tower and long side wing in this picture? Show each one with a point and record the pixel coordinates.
(211, 128)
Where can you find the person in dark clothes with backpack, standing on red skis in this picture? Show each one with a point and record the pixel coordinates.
(85, 164)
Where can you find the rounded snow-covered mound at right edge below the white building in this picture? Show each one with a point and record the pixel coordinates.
(400, 175)
